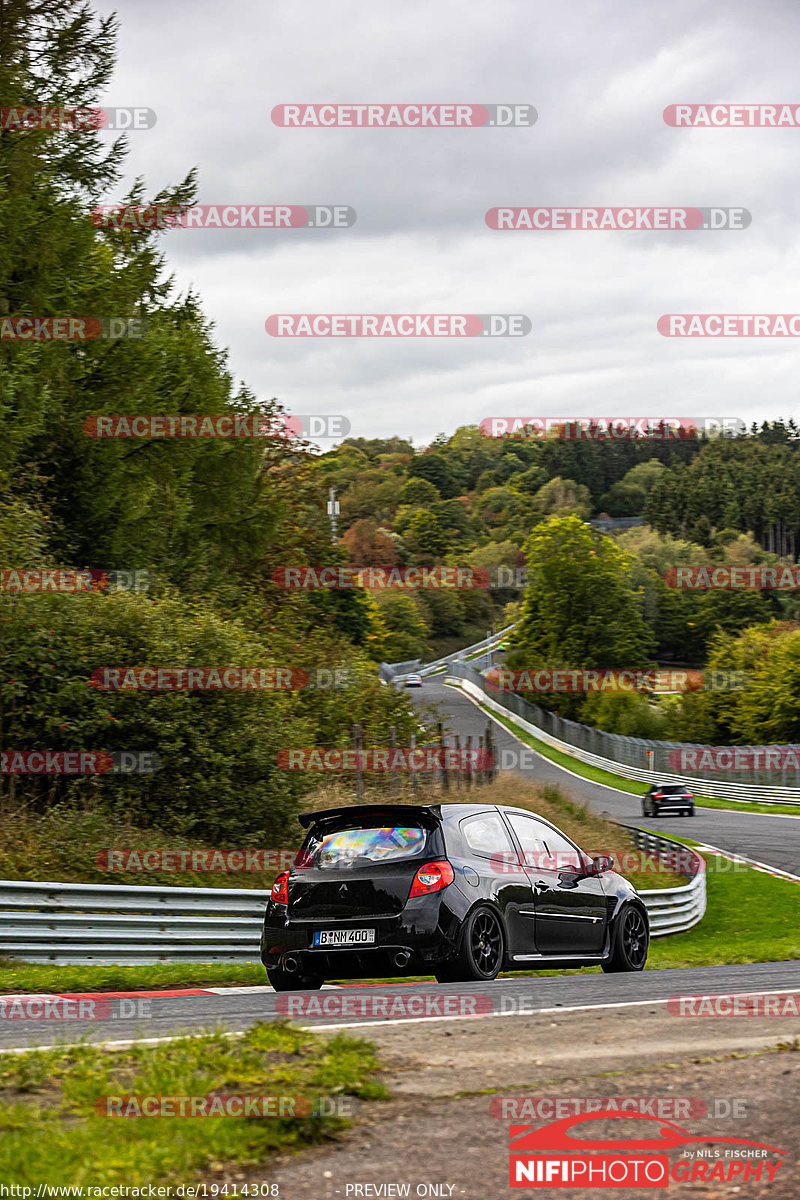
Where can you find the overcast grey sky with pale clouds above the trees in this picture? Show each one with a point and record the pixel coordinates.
(600, 76)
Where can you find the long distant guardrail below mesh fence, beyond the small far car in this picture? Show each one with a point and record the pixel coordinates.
(532, 719)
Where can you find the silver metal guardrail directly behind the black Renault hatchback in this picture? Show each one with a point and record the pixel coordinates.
(101, 923)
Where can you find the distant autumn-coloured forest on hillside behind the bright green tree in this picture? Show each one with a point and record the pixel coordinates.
(472, 500)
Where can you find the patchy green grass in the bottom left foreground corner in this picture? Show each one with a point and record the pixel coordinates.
(51, 1131)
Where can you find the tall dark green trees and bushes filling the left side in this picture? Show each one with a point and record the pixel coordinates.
(208, 519)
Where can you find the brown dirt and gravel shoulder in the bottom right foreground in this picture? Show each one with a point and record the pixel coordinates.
(440, 1137)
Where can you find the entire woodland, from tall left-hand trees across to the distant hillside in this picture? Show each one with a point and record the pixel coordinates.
(210, 520)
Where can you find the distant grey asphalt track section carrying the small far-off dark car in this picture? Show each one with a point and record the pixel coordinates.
(772, 841)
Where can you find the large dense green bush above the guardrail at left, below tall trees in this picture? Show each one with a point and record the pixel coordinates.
(219, 777)
